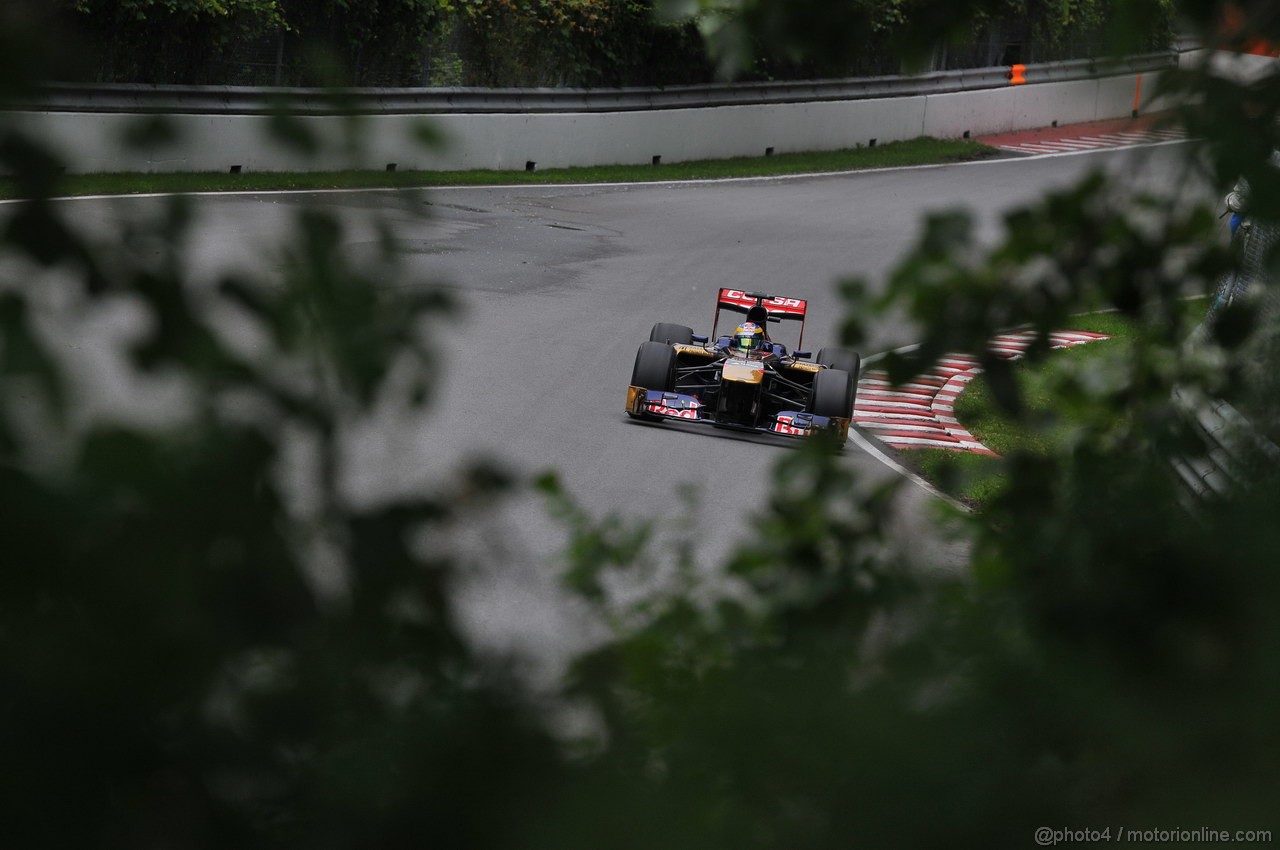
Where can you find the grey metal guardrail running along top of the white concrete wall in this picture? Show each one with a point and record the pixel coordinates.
(236, 100)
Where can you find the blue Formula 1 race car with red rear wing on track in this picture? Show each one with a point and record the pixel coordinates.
(765, 389)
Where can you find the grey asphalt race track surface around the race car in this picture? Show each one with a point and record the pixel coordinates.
(560, 286)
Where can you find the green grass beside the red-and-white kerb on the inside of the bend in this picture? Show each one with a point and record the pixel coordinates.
(976, 479)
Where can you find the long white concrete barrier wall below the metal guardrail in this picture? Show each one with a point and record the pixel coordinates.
(93, 143)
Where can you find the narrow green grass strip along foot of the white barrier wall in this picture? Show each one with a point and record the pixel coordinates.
(921, 152)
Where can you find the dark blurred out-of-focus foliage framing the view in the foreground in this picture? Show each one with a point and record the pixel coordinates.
(211, 641)
